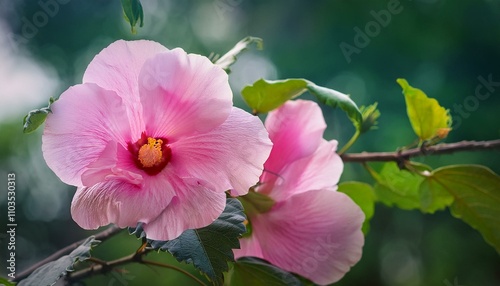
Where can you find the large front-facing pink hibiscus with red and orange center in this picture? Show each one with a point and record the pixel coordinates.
(151, 136)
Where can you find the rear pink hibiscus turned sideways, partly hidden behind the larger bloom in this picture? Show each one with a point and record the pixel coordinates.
(311, 229)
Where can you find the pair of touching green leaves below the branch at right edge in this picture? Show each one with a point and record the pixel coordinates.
(471, 192)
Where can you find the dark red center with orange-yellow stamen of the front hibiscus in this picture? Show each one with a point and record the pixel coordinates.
(150, 154)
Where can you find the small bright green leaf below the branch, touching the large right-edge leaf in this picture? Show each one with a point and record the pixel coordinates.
(398, 187)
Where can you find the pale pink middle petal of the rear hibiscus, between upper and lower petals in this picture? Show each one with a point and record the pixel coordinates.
(320, 170)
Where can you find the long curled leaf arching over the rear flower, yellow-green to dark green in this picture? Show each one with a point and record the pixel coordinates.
(264, 96)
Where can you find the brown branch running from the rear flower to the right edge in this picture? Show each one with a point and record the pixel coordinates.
(439, 149)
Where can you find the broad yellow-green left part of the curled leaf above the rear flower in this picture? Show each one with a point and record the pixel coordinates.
(266, 95)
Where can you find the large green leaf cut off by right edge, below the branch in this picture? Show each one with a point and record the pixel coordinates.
(476, 197)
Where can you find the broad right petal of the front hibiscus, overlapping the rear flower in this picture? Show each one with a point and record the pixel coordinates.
(230, 156)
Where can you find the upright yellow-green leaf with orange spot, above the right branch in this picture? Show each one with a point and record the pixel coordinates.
(428, 119)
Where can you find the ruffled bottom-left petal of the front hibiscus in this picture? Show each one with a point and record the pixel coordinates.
(121, 202)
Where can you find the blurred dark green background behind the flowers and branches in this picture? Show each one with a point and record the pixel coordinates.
(439, 46)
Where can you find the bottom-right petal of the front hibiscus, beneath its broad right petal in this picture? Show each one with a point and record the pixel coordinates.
(196, 205)
